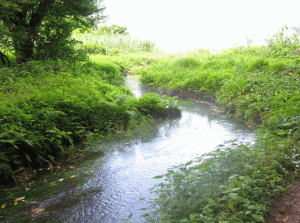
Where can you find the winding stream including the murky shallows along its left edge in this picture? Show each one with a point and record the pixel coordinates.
(108, 188)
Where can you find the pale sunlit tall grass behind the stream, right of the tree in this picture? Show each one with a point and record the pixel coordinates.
(129, 54)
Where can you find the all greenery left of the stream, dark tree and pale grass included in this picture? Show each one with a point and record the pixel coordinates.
(54, 100)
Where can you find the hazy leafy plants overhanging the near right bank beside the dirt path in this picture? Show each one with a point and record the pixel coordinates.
(226, 185)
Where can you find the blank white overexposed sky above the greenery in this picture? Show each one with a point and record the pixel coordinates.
(176, 25)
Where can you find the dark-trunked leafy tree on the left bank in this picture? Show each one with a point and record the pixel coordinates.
(46, 24)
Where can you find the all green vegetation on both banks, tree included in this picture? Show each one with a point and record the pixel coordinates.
(55, 98)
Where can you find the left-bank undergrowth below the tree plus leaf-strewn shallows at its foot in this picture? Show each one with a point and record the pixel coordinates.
(52, 110)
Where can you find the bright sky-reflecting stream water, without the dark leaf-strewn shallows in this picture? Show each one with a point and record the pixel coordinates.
(127, 173)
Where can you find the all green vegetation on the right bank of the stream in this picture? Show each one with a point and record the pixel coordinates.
(259, 85)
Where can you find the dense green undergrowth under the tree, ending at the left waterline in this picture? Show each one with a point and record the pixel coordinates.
(49, 106)
